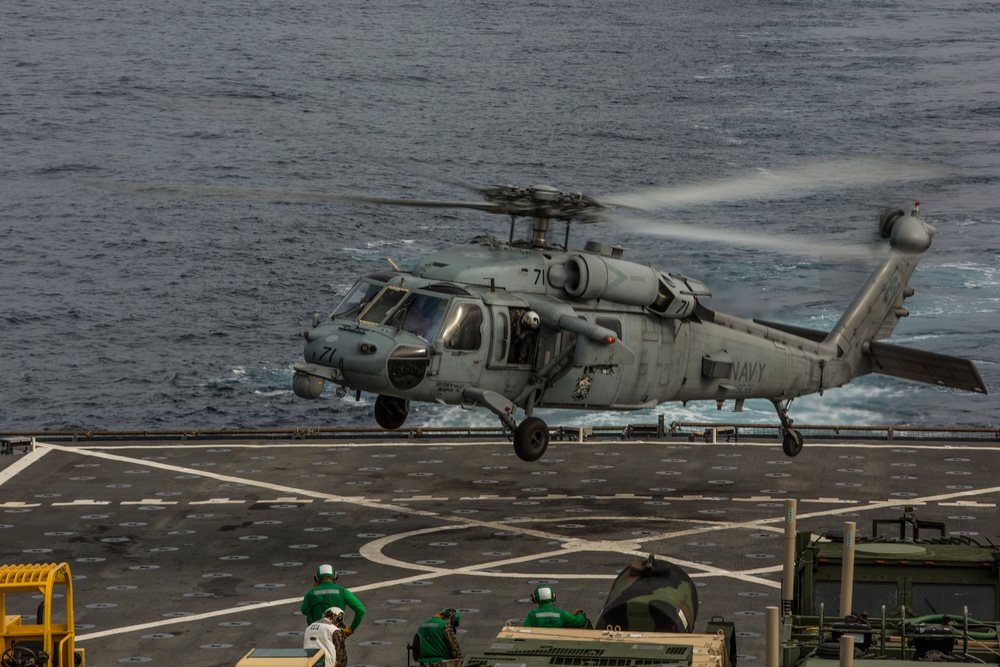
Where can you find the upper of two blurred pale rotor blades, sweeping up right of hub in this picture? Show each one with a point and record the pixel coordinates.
(796, 181)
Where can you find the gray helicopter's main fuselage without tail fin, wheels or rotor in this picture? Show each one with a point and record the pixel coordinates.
(613, 334)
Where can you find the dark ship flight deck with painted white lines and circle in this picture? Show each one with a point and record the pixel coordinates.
(198, 551)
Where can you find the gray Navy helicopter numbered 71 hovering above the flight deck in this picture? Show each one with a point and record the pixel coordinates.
(530, 323)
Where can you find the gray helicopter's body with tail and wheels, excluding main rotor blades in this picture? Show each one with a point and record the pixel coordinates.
(597, 317)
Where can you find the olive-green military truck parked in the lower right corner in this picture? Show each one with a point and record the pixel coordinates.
(918, 594)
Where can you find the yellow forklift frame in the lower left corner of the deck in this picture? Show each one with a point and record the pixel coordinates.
(44, 643)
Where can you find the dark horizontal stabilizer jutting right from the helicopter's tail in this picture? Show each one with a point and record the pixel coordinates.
(929, 367)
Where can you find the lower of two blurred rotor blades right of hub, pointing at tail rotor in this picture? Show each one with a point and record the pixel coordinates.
(796, 246)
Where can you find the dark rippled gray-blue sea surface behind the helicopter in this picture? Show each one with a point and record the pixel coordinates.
(130, 309)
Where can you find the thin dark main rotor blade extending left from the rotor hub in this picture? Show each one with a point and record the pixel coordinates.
(283, 196)
